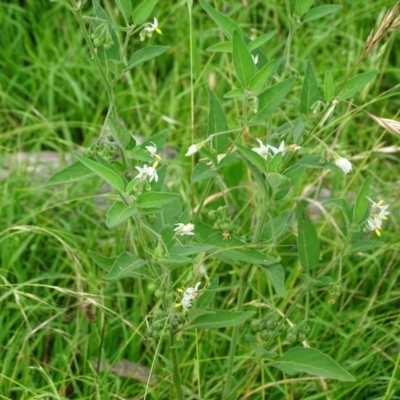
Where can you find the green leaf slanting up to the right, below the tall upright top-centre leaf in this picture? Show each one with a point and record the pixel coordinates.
(271, 98)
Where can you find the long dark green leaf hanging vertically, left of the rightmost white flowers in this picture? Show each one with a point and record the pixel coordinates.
(307, 240)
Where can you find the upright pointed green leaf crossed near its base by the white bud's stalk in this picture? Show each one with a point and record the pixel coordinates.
(217, 122)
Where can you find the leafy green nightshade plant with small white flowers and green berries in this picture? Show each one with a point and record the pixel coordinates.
(171, 236)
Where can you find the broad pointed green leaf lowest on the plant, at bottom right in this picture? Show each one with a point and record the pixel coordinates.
(311, 361)
